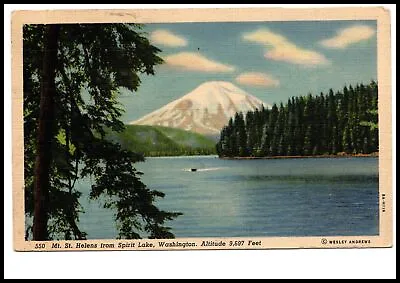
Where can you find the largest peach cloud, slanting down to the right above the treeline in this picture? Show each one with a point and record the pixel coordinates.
(279, 48)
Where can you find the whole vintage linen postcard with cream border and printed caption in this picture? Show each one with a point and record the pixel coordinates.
(201, 129)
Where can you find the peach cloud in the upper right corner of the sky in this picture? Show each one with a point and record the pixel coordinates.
(349, 36)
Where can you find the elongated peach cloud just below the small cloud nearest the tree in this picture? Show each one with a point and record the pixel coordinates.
(196, 62)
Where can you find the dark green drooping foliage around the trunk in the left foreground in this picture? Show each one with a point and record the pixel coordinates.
(93, 62)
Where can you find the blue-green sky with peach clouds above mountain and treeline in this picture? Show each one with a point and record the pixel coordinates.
(270, 60)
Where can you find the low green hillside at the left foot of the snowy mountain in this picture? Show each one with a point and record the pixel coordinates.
(162, 141)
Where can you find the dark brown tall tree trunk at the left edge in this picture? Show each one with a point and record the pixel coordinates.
(45, 134)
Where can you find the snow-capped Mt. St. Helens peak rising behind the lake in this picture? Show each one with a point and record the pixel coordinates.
(204, 110)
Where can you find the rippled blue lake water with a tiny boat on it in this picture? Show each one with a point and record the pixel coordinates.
(263, 197)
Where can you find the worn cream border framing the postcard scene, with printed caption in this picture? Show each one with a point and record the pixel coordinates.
(382, 16)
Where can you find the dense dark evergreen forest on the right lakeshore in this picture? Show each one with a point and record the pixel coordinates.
(331, 123)
